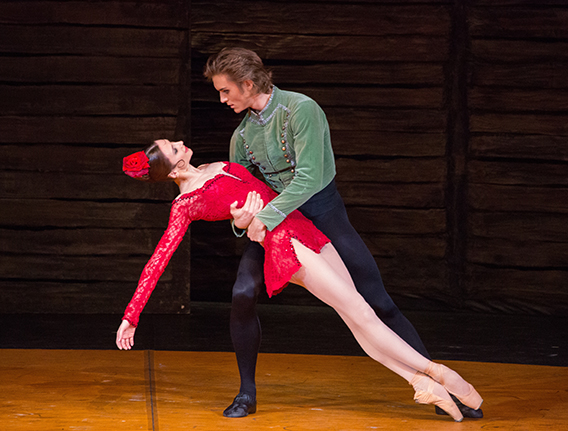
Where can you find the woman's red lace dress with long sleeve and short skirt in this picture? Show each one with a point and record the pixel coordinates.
(211, 202)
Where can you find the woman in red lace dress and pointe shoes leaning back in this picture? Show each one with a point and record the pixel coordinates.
(295, 252)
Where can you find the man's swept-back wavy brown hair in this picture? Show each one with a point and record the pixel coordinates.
(240, 65)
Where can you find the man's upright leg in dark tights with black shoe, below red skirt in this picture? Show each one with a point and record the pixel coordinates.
(245, 327)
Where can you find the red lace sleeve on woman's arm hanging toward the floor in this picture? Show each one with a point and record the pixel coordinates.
(177, 227)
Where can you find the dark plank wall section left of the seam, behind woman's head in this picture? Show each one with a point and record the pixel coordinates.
(82, 84)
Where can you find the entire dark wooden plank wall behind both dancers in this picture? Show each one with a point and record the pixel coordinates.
(448, 122)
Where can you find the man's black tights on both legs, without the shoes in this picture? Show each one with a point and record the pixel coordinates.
(327, 211)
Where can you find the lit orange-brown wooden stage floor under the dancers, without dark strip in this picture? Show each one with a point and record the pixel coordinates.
(164, 390)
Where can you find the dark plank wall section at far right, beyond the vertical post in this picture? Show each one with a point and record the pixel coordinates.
(517, 254)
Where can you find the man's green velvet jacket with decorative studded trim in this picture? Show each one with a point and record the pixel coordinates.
(289, 142)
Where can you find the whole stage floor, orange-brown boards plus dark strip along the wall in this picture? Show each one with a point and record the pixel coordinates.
(63, 372)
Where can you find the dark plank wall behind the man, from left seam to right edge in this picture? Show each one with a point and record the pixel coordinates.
(449, 123)
